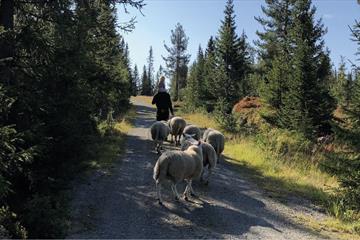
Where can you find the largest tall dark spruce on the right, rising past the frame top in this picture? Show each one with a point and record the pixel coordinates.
(307, 105)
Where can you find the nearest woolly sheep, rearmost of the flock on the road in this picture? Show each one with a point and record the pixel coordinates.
(177, 166)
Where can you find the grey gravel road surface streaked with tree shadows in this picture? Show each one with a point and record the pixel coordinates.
(121, 202)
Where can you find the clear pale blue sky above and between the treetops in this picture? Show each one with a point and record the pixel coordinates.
(202, 19)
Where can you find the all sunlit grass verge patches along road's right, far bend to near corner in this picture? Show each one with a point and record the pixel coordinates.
(281, 177)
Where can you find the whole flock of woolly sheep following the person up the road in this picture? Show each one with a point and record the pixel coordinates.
(190, 161)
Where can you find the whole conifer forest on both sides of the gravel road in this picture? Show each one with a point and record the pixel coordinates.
(65, 69)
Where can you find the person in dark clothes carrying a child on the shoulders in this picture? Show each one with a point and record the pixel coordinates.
(163, 103)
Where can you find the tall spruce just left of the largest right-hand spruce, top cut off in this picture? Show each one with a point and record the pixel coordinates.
(275, 50)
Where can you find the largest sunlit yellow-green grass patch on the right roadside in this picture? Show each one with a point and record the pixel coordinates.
(277, 176)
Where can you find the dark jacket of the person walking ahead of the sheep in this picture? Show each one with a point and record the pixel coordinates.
(163, 105)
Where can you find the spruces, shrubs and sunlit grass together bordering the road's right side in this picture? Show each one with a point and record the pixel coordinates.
(301, 129)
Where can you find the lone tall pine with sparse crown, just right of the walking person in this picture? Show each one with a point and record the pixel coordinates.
(177, 60)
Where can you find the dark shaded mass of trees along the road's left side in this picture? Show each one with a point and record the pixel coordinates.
(63, 69)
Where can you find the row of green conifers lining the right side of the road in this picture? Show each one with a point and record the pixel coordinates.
(289, 68)
